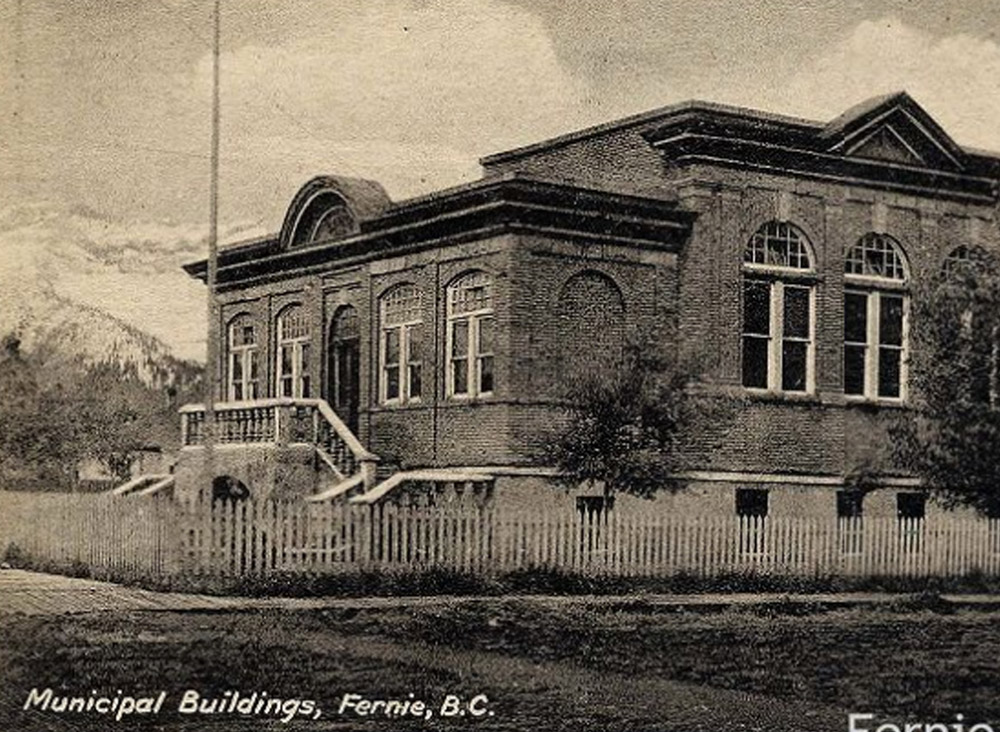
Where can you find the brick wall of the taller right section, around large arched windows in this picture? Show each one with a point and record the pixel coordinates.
(821, 434)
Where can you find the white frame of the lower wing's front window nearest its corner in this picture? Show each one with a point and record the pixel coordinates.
(474, 358)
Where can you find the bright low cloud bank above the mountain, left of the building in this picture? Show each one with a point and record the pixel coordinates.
(131, 271)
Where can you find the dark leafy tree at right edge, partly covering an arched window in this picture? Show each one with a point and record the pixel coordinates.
(951, 437)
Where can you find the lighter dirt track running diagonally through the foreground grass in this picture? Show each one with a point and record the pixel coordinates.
(562, 696)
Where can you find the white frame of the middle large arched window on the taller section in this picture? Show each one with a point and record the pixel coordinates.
(874, 288)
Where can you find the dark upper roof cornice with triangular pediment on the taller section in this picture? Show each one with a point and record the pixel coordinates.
(737, 137)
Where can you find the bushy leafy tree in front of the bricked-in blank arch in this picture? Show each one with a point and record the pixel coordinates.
(625, 428)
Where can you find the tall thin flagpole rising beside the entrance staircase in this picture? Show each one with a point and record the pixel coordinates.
(212, 349)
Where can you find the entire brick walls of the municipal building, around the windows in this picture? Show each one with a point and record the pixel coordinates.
(691, 302)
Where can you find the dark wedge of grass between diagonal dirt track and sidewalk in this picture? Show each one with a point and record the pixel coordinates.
(905, 661)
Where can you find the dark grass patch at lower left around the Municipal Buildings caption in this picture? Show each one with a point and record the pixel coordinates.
(212, 653)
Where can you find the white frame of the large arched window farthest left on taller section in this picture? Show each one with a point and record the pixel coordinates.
(777, 278)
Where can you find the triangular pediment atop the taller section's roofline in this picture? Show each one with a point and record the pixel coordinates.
(894, 129)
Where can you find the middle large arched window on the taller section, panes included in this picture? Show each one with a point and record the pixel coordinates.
(875, 319)
